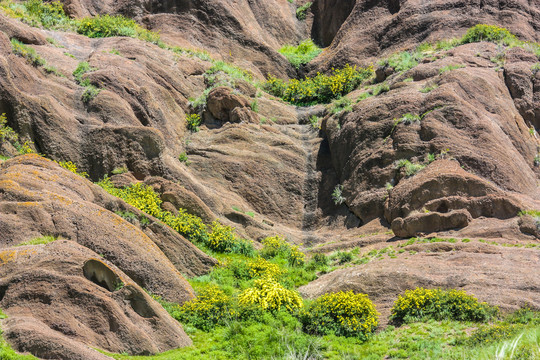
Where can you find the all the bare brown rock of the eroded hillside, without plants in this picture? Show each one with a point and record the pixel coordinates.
(267, 171)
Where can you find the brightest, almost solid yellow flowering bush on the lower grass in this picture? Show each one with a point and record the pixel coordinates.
(268, 294)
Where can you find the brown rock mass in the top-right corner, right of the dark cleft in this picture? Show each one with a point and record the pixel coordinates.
(376, 28)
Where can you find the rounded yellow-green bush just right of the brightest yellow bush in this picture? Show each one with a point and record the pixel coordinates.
(343, 314)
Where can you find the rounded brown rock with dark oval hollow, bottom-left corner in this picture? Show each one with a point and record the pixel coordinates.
(66, 307)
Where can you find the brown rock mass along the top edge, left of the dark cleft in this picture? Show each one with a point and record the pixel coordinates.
(247, 33)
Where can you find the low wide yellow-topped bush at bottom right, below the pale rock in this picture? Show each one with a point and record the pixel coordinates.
(439, 304)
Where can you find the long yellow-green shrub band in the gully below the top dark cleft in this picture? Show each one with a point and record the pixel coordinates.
(321, 88)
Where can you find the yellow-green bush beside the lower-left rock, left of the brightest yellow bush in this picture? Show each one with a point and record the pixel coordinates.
(210, 308)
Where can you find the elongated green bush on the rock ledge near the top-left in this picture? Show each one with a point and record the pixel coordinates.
(102, 26)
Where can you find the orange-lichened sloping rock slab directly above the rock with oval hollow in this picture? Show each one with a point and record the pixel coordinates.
(38, 198)
